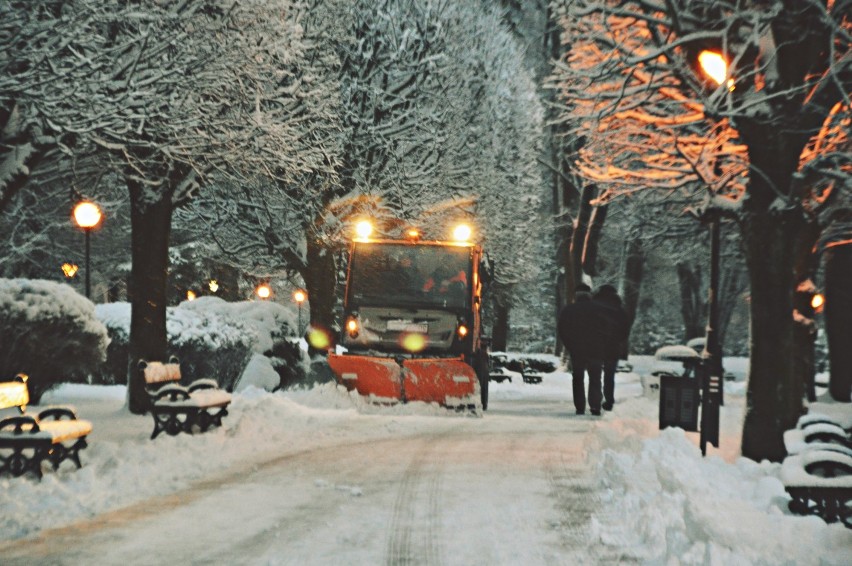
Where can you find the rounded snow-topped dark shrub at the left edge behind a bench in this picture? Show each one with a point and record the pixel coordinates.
(49, 332)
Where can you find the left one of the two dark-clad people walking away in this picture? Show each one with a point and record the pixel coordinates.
(582, 328)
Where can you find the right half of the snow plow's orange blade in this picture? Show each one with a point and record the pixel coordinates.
(448, 381)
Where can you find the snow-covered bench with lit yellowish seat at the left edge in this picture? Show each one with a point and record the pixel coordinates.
(55, 434)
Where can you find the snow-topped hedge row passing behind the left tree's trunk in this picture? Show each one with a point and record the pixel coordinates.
(214, 338)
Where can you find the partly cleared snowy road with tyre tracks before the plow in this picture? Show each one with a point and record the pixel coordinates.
(511, 488)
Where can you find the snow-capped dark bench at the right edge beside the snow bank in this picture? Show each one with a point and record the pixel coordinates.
(817, 473)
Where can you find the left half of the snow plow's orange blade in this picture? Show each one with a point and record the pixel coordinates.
(379, 377)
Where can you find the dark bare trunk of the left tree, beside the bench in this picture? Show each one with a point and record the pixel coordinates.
(150, 231)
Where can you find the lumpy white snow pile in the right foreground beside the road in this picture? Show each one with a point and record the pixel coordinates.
(675, 507)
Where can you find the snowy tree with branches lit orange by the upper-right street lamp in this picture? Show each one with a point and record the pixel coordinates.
(765, 143)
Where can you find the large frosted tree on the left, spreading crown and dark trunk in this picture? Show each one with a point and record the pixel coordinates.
(170, 96)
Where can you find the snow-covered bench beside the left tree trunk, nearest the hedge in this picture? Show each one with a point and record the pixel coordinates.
(176, 408)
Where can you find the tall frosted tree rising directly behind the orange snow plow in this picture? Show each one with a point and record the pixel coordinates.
(420, 87)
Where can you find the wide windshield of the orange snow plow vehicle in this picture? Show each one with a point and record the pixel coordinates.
(405, 274)
